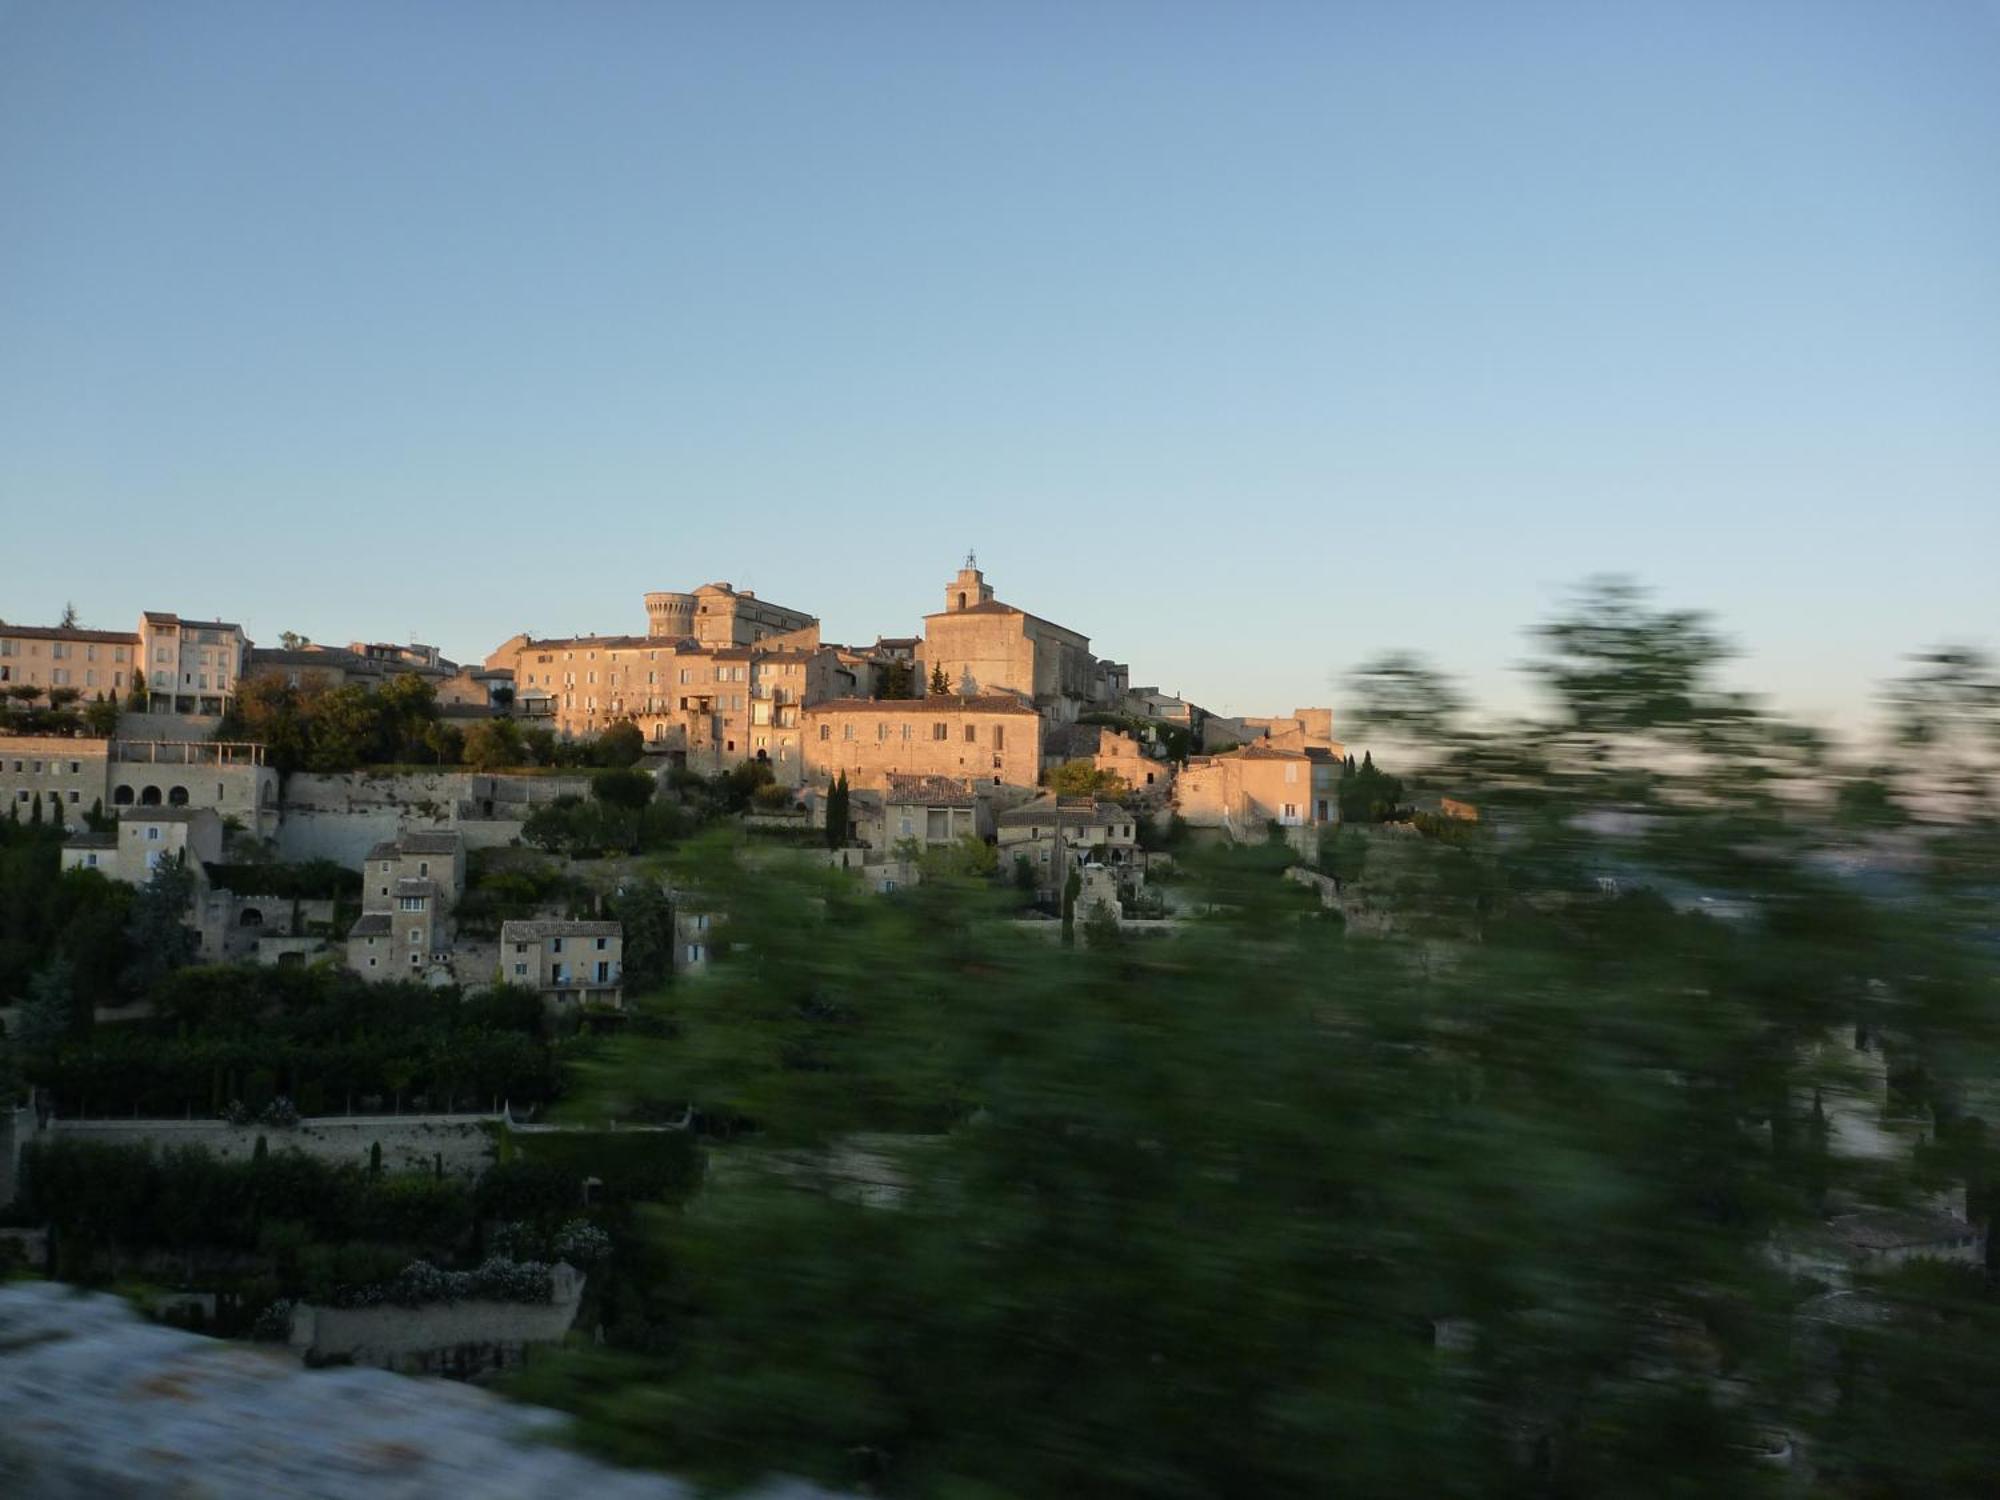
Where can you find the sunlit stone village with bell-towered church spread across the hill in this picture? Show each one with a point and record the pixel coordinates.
(995, 739)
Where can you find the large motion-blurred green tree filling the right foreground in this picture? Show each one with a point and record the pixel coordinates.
(1189, 1215)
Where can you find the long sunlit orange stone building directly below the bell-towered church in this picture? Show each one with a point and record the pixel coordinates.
(993, 739)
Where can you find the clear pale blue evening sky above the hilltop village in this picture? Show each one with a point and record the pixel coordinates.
(1249, 339)
